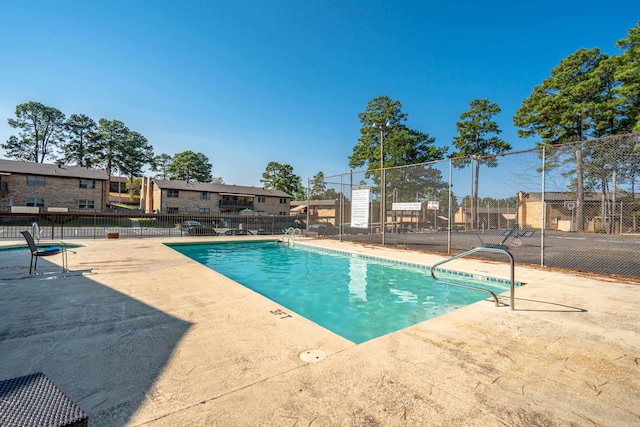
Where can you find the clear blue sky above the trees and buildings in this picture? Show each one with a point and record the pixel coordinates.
(249, 82)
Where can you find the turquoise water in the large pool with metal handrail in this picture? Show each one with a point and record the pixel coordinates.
(356, 297)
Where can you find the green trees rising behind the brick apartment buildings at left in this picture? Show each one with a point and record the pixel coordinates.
(45, 133)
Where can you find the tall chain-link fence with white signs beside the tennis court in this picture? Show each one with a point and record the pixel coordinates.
(573, 206)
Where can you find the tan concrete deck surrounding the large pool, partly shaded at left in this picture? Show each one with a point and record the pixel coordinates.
(140, 335)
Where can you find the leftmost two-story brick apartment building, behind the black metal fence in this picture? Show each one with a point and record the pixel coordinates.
(35, 187)
